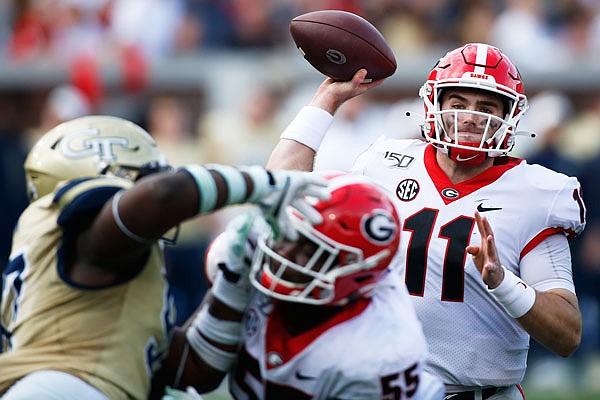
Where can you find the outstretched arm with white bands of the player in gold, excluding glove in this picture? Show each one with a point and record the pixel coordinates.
(137, 217)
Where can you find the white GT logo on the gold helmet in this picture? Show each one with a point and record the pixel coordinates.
(87, 143)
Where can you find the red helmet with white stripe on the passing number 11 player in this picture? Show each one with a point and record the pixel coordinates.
(476, 66)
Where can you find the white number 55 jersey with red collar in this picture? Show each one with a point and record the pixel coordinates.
(374, 349)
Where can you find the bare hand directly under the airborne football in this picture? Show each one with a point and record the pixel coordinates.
(332, 94)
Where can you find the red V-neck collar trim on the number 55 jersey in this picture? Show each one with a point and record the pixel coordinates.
(280, 341)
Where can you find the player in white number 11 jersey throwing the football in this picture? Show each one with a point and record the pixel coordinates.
(480, 293)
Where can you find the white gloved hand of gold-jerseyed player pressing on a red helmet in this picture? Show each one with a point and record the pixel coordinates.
(292, 188)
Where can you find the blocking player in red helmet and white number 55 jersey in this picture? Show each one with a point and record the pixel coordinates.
(323, 316)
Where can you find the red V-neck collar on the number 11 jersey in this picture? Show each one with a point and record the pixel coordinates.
(442, 182)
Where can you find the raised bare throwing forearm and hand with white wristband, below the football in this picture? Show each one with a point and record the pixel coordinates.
(301, 140)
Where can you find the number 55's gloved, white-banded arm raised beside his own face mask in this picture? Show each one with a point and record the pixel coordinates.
(204, 349)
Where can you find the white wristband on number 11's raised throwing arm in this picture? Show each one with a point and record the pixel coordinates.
(309, 127)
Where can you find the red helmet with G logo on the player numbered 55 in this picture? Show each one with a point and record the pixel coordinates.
(341, 258)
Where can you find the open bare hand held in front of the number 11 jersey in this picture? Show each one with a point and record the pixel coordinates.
(485, 256)
